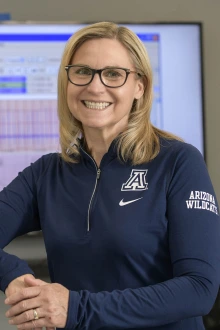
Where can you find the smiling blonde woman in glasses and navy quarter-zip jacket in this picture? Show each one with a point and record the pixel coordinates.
(128, 212)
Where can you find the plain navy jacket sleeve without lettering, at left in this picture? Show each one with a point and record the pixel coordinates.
(18, 216)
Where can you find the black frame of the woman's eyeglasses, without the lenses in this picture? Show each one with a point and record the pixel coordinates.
(99, 71)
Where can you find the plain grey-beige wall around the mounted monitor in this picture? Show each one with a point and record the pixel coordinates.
(205, 11)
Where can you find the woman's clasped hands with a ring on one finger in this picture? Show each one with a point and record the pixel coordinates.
(39, 304)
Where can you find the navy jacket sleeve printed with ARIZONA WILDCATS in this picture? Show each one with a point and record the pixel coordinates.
(194, 243)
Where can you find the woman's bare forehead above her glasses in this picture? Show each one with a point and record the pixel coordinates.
(99, 53)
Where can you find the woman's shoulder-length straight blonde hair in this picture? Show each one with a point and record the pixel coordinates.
(140, 141)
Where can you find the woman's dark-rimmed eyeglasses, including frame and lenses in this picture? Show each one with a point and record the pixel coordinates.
(112, 77)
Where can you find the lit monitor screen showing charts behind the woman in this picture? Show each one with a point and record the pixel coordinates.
(29, 61)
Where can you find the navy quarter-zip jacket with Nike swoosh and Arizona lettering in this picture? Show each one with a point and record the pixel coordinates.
(137, 246)
